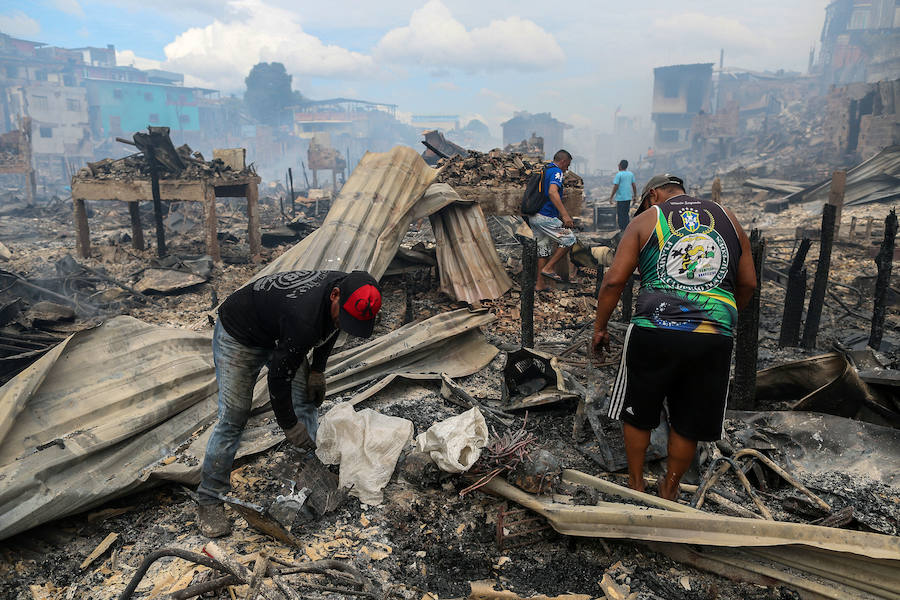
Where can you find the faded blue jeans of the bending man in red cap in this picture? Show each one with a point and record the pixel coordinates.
(237, 369)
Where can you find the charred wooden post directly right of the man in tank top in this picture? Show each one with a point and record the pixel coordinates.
(743, 390)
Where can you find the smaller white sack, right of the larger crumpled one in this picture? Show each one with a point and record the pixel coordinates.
(455, 443)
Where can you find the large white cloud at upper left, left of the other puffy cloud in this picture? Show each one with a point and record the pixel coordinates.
(223, 52)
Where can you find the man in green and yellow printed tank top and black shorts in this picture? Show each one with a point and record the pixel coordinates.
(696, 272)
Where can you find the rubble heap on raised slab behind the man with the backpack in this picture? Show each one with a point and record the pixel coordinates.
(493, 168)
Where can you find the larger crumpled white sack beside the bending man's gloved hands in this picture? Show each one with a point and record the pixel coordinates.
(366, 444)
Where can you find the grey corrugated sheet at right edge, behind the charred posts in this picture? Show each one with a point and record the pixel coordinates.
(874, 180)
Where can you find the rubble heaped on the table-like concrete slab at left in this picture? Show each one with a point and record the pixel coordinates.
(135, 167)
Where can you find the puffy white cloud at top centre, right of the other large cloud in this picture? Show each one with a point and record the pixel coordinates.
(435, 39)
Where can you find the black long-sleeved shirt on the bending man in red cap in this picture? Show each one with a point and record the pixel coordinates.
(291, 314)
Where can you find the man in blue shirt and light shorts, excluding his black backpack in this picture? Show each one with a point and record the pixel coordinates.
(552, 224)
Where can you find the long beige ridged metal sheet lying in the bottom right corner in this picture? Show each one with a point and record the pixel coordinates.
(824, 561)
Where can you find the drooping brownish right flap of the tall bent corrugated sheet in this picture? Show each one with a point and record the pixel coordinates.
(467, 259)
